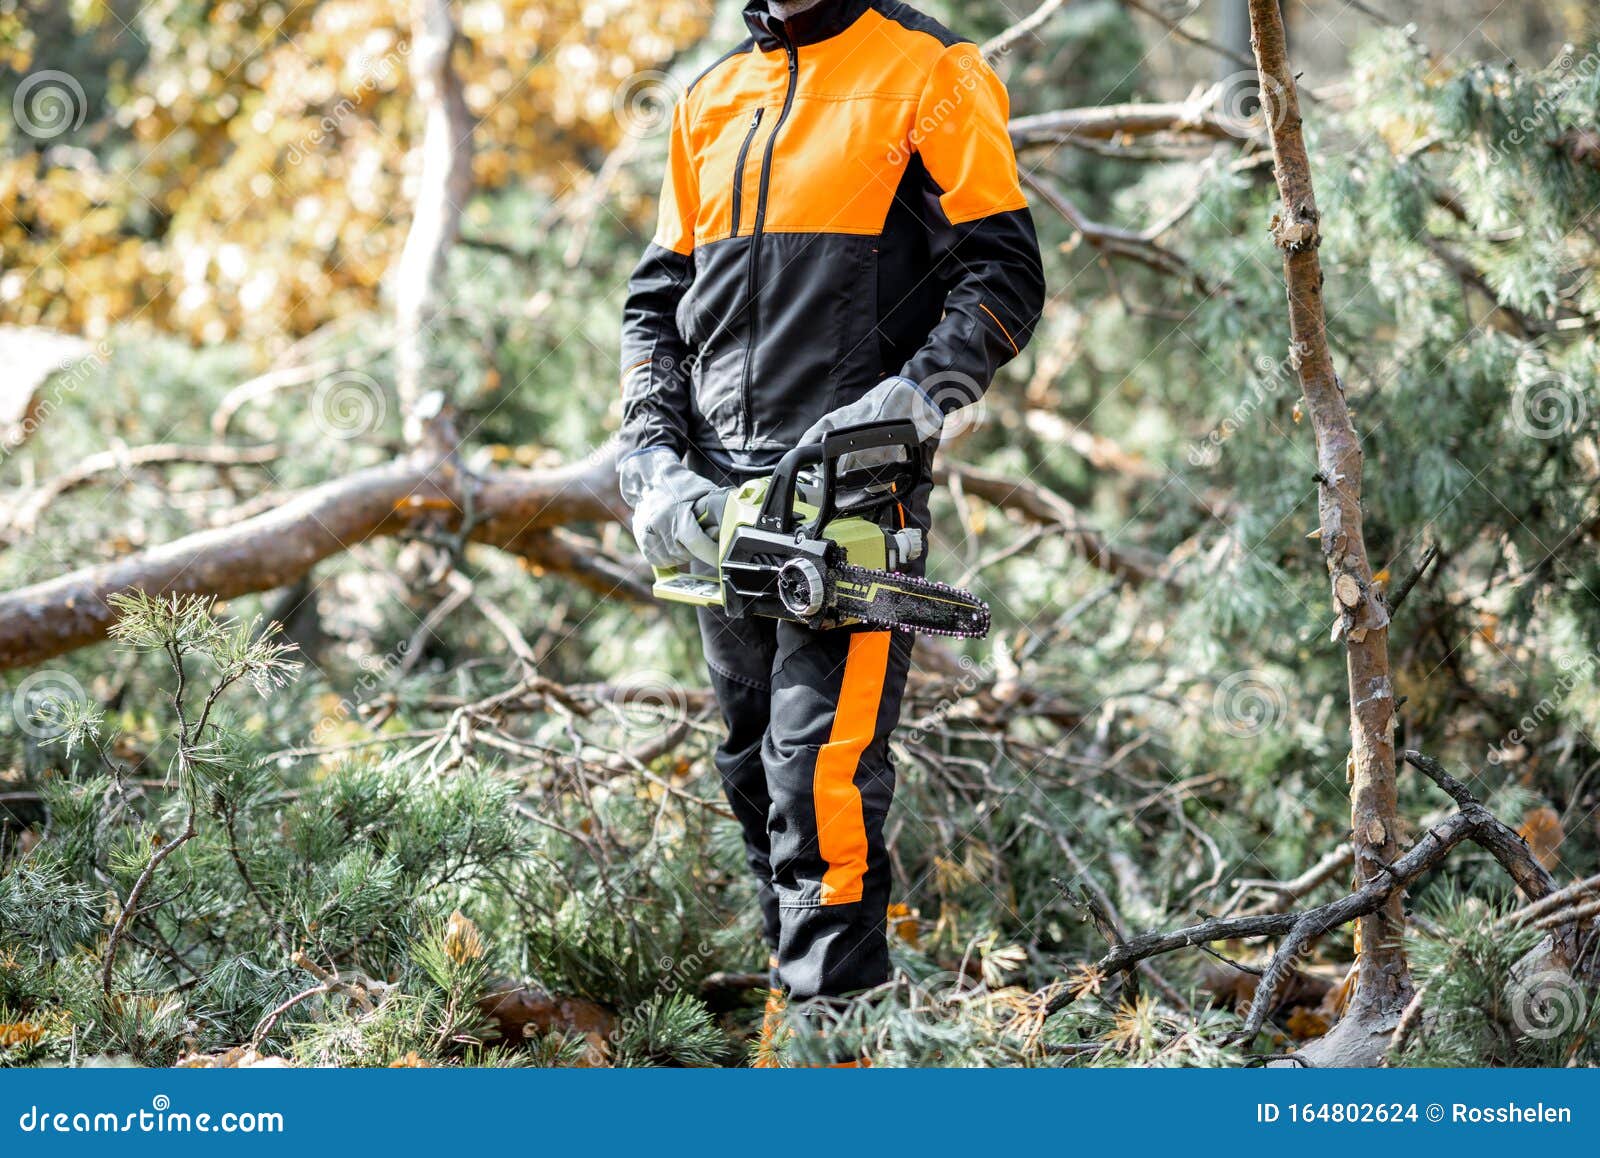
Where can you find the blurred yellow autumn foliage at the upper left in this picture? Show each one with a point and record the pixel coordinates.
(254, 175)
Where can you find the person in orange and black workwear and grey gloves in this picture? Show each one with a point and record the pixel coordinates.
(842, 239)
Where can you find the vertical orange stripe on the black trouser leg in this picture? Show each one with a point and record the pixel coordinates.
(841, 825)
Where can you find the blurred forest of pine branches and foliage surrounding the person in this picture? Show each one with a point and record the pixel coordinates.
(313, 306)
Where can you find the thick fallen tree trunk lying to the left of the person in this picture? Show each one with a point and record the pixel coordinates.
(514, 511)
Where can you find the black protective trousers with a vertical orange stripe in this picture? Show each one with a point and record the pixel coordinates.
(809, 773)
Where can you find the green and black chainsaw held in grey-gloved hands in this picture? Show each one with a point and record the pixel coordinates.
(822, 546)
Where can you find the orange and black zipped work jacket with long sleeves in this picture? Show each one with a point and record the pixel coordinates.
(841, 206)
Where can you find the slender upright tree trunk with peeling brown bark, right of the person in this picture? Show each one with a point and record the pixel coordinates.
(1362, 620)
